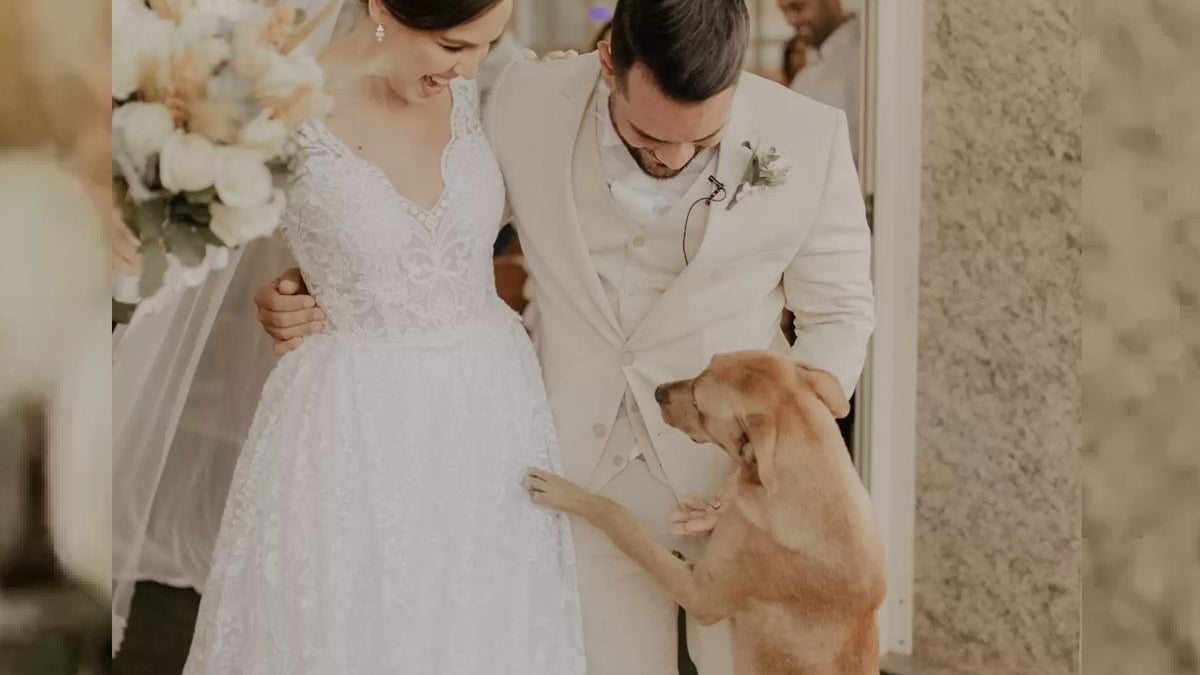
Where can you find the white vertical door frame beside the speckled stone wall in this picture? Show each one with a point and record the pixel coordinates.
(887, 429)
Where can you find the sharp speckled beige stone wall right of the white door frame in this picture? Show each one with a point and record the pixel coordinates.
(998, 543)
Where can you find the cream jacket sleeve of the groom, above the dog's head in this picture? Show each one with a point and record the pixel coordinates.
(829, 285)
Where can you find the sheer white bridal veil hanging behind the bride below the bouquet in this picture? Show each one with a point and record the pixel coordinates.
(187, 381)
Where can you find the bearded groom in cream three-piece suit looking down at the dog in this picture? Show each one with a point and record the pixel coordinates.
(653, 248)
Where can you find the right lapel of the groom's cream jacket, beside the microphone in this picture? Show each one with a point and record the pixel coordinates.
(731, 165)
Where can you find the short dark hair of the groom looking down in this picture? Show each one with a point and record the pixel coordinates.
(694, 49)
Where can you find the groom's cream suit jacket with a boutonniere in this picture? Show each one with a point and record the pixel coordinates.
(805, 246)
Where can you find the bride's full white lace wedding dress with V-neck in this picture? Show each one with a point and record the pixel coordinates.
(377, 522)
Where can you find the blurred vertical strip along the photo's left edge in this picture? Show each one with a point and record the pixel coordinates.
(56, 493)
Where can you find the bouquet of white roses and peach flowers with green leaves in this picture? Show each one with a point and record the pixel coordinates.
(205, 109)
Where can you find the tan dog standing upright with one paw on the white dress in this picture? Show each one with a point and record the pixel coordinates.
(796, 560)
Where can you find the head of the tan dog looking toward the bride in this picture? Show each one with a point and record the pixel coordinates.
(739, 401)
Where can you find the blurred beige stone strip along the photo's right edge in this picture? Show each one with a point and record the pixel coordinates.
(1142, 338)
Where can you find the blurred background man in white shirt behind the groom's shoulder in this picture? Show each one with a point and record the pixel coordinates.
(832, 68)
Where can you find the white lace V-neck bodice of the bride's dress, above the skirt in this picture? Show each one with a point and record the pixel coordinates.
(381, 266)
